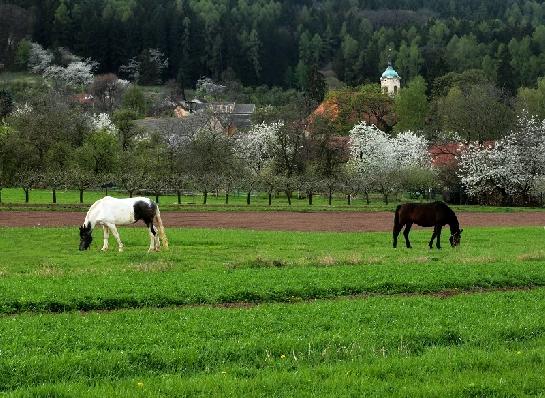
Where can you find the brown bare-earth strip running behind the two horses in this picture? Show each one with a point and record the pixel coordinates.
(278, 221)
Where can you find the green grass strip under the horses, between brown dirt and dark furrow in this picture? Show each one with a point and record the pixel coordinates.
(42, 271)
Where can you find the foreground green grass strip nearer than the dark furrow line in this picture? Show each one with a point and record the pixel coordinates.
(480, 345)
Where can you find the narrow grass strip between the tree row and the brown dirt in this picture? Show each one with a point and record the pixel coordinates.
(41, 199)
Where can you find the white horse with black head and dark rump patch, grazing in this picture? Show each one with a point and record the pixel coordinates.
(110, 211)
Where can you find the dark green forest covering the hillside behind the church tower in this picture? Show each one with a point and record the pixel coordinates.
(275, 42)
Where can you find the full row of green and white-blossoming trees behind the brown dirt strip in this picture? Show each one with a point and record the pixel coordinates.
(51, 143)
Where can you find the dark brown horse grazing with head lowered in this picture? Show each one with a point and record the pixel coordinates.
(435, 215)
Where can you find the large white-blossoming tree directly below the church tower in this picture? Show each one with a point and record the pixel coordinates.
(382, 160)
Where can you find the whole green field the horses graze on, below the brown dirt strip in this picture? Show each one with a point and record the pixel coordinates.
(246, 313)
